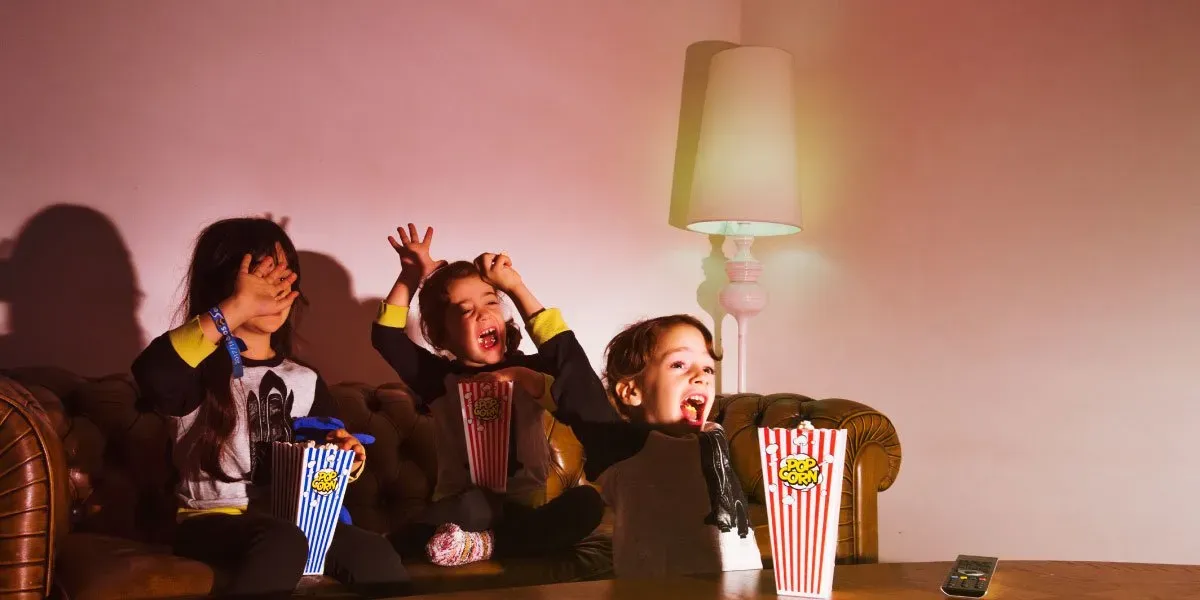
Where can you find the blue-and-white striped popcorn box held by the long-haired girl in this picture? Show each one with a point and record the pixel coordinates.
(308, 488)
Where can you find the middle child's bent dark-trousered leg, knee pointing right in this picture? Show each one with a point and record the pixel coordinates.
(556, 526)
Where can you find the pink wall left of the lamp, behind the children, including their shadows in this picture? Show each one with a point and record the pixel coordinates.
(538, 129)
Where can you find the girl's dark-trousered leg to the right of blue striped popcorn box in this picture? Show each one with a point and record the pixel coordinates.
(365, 562)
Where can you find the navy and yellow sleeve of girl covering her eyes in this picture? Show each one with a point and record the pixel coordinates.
(167, 370)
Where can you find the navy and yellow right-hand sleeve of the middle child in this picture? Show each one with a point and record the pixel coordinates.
(578, 395)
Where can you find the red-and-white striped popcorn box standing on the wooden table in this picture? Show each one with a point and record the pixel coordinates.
(802, 478)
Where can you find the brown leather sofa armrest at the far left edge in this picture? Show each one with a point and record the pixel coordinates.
(34, 494)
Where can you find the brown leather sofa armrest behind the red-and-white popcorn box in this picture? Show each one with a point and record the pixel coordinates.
(873, 457)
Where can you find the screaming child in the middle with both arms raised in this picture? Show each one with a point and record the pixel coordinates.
(461, 315)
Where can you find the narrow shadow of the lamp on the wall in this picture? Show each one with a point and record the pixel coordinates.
(692, 112)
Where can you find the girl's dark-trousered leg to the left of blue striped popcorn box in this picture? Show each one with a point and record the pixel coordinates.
(263, 555)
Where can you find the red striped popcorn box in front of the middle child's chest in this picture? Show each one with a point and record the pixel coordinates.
(487, 415)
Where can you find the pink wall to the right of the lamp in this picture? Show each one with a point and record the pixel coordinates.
(1005, 200)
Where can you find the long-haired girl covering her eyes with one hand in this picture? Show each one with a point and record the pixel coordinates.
(225, 406)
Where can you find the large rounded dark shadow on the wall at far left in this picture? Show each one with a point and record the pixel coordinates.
(71, 293)
